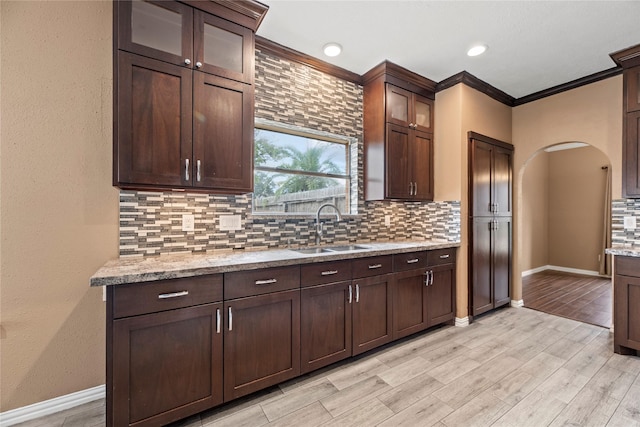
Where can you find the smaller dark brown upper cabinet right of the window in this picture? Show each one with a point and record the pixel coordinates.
(398, 134)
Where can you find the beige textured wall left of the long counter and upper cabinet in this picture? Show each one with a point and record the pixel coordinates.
(59, 218)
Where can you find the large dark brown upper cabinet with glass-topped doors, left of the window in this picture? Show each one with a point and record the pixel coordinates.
(184, 95)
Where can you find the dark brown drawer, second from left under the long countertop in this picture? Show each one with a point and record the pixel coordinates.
(257, 282)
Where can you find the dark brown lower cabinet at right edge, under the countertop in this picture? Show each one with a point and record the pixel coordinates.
(626, 303)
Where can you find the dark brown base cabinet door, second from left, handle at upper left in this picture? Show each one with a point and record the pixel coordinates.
(261, 342)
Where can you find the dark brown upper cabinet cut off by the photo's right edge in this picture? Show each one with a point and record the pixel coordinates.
(629, 60)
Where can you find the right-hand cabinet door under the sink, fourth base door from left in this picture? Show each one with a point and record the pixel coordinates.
(372, 322)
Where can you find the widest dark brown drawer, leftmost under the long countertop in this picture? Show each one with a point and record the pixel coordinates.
(151, 297)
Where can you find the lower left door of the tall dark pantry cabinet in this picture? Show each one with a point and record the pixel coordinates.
(481, 262)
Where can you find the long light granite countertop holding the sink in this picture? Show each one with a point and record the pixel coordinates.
(139, 269)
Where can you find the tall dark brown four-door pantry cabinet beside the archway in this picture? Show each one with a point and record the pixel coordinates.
(490, 223)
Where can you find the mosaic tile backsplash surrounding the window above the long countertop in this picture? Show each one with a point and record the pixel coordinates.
(287, 92)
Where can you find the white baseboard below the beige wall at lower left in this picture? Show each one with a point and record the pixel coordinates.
(51, 406)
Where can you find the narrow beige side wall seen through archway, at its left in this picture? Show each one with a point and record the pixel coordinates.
(535, 215)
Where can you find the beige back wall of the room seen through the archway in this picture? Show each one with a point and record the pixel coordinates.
(576, 207)
